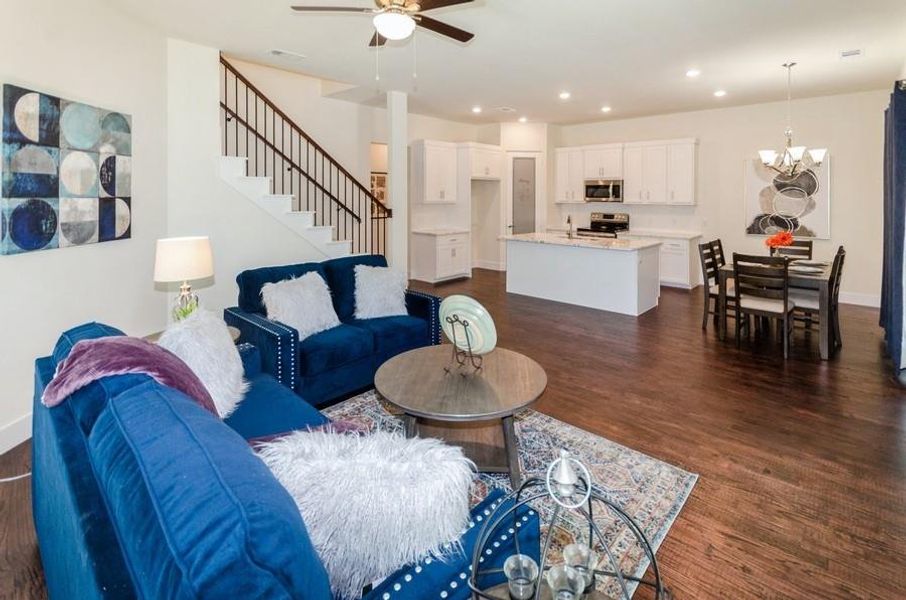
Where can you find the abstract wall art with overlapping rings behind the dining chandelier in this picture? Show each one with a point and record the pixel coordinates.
(798, 204)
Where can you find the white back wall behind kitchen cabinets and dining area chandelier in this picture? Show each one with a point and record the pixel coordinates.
(849, 125)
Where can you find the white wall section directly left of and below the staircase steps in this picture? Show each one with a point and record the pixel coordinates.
(242, 235)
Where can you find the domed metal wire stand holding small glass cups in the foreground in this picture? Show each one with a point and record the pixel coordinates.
(569, 486)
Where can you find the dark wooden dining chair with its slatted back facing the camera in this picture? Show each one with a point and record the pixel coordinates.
(762, 290)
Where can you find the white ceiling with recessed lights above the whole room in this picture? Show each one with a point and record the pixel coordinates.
(631, 55)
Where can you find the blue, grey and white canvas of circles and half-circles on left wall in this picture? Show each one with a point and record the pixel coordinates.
(66, 173)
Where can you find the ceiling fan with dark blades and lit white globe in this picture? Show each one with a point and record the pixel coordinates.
(397, 19)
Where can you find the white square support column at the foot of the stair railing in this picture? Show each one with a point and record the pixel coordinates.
(398, 178)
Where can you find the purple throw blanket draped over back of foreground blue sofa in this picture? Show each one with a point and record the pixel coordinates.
(95, 359)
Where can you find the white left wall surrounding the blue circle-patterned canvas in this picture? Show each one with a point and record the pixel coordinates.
(87, 52)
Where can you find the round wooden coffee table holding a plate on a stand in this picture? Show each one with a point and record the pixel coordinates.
(472, 409)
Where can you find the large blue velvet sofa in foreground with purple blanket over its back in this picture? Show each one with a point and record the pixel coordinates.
(140, 493)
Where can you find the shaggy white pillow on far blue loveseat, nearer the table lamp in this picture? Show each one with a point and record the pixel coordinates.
(303, 303)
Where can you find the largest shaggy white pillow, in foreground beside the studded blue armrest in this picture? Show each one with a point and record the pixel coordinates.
(373, 503)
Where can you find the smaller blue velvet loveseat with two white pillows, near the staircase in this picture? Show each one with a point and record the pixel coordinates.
(337, 362)
